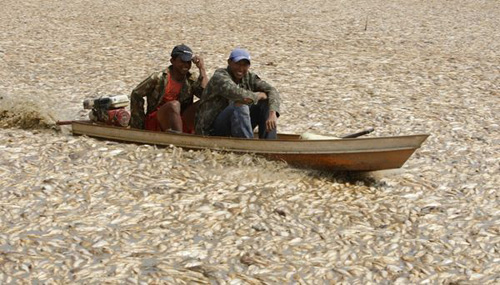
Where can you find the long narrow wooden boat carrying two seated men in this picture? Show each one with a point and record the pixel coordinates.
(351, 154)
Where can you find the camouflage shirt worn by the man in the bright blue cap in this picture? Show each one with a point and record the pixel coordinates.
(222, 89)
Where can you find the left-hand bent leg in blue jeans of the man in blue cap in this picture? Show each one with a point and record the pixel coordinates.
(234, 121)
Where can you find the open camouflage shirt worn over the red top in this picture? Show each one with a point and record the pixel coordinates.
(153, 88)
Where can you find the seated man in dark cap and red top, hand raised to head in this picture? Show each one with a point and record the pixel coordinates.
(169, 95)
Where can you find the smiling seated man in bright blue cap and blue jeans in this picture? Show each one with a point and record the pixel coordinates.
(235, 101)
